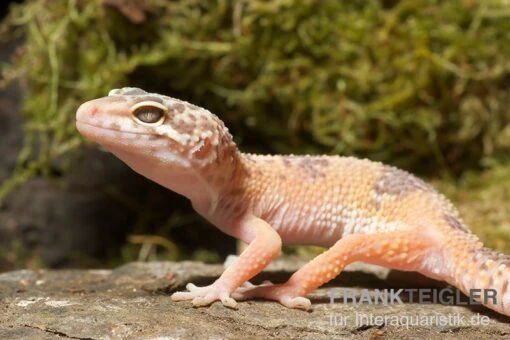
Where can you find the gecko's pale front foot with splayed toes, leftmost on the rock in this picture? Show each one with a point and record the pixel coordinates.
(204, 296)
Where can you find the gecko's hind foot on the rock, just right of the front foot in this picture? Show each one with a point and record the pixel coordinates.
(282, 293)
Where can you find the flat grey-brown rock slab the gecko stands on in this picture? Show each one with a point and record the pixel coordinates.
(133, 302)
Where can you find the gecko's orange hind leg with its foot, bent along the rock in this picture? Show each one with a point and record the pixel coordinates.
(403, 250)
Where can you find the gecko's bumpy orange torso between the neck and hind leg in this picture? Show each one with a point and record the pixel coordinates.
(318, 199)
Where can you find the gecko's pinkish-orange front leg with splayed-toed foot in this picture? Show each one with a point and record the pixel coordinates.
(264, 246)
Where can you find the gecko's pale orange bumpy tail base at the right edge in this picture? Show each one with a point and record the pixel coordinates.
(482, 273)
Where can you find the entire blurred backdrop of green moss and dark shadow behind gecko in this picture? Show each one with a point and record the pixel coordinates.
(421, 84)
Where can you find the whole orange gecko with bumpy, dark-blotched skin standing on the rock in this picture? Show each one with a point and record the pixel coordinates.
(362, 210)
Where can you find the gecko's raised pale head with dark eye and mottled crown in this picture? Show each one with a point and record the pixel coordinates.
(147, 128)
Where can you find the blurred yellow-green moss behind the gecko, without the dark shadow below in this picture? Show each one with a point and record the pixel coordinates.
(419, 84)
